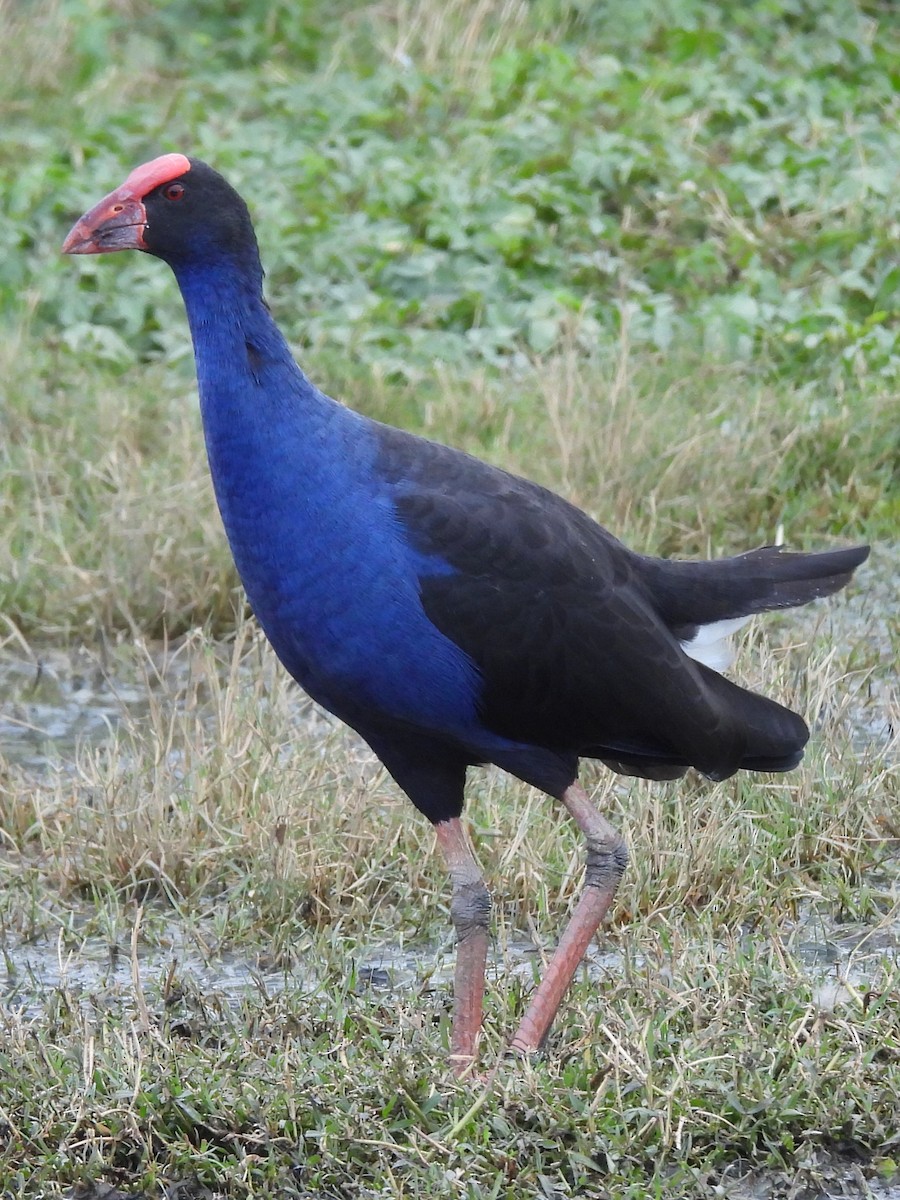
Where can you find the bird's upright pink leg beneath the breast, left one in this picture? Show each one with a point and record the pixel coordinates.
(470, 909)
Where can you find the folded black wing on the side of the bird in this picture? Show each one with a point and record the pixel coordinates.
(553, 610)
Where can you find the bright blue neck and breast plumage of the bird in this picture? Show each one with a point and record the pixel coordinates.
(327, 567)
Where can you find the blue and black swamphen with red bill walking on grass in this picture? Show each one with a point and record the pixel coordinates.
(453, 614)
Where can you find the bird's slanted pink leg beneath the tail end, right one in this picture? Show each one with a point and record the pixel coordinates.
(608, 859)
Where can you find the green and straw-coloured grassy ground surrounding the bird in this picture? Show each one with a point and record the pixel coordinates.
(643, 253)
